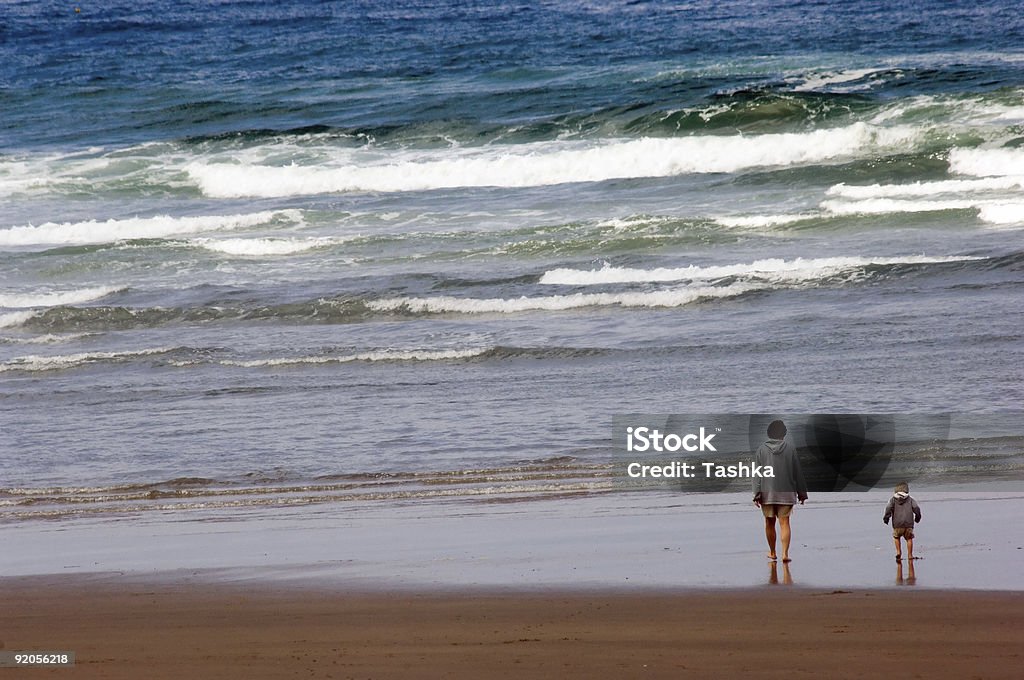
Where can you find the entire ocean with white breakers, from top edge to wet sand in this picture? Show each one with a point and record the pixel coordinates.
(291, 254)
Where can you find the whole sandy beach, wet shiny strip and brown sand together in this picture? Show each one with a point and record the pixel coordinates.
(610, 586)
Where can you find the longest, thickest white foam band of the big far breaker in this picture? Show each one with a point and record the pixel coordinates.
(545, 163)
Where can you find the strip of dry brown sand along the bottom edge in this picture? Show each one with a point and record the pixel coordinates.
(203, 631)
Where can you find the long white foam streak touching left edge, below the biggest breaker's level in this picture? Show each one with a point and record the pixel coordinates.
(95, 232)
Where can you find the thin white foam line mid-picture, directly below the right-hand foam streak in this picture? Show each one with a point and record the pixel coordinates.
(669, 299)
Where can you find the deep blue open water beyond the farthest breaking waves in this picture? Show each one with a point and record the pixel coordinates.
(122, 73)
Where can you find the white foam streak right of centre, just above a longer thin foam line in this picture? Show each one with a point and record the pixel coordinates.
(775, 271)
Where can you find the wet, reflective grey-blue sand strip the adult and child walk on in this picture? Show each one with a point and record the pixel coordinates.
(602, 543)
